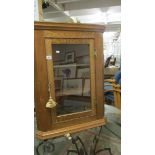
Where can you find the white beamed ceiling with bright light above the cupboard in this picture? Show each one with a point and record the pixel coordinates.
(106, 12)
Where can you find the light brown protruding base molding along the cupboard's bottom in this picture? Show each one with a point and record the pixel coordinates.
(71, 129)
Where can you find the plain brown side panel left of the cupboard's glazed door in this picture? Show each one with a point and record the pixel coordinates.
(43, 115)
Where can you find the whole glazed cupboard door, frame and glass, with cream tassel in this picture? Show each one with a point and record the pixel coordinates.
(71, 78)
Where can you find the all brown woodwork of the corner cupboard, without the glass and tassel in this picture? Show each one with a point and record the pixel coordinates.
(47, 123)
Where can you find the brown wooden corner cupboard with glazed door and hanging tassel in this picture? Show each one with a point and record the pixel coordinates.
(68, 77)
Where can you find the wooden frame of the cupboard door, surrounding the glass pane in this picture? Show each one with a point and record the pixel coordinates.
(48, 45)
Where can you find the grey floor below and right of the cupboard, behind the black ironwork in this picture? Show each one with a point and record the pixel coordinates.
(110, 137)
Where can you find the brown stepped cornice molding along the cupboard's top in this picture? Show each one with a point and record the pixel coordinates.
(68, 26)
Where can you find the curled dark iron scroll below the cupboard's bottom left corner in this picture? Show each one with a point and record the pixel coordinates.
(48, 147)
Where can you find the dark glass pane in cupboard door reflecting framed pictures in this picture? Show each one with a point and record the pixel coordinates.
(72, 77)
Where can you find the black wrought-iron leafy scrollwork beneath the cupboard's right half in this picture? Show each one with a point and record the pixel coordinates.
(82, 149)
